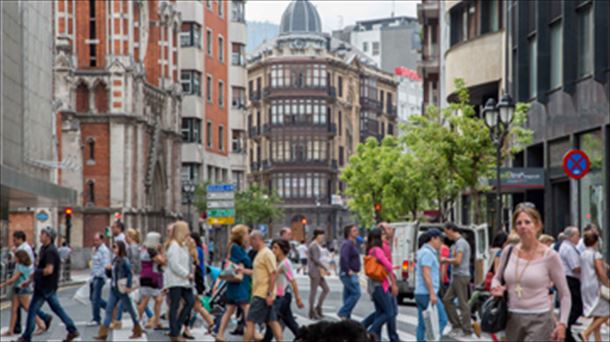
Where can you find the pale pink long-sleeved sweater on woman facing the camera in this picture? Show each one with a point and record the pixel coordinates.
(535, 282)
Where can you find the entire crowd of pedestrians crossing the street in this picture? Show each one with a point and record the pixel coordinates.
(256, 280)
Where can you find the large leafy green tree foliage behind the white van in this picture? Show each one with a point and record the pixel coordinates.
(442, 153)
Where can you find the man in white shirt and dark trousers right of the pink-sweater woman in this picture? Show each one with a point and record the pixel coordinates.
(570, 258)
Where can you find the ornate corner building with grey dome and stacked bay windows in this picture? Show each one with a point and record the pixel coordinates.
(311, 100)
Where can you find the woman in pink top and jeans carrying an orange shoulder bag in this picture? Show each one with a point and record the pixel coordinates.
(380, 290)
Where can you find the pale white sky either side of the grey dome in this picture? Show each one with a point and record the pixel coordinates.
(334, 14)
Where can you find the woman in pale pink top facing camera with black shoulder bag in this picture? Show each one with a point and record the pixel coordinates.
(530, 270)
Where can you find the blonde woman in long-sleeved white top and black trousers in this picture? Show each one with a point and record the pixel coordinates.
(177, 278)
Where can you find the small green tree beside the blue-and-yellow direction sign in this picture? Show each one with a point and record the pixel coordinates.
(256, 205)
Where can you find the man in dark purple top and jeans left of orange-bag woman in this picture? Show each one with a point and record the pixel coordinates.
(349, 267)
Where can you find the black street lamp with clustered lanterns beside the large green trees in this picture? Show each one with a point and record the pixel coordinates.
(498, 118)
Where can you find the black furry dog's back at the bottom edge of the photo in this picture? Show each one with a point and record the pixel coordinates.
(343, 331)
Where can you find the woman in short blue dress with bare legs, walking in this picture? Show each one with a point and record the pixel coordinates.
(238, 293)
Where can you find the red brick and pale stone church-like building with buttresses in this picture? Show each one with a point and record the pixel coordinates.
(116, 82)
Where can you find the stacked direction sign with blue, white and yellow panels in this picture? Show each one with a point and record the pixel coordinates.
(221, 204)
